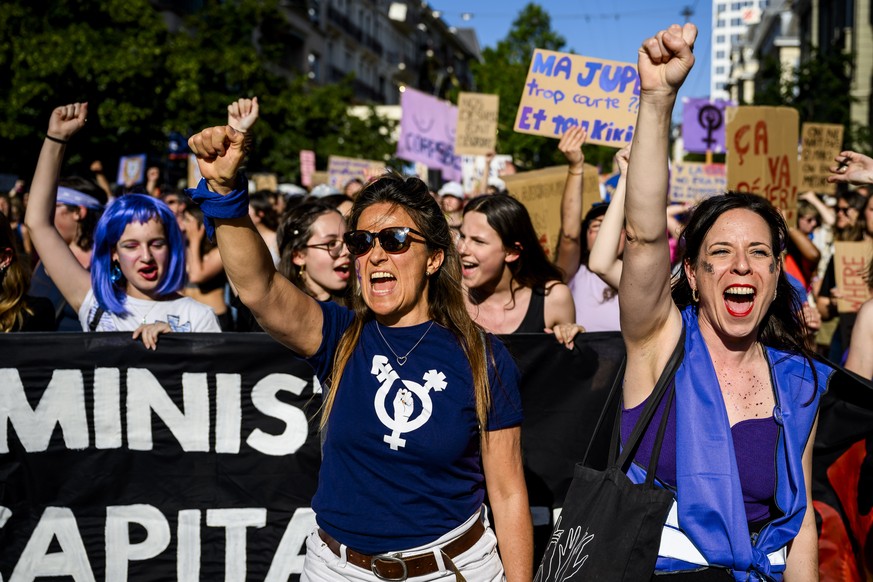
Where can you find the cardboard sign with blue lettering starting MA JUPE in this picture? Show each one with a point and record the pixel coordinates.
(564, 91)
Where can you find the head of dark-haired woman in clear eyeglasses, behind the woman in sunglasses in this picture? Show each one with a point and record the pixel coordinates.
(312, 253)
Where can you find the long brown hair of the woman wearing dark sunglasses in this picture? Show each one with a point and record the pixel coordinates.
(445, 292)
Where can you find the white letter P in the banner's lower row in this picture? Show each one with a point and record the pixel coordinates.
(120, 551)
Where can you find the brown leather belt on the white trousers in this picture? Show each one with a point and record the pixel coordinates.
(393, 567)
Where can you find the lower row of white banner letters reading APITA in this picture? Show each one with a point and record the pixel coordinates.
(59, 523)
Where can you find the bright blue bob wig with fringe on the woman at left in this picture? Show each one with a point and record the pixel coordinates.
(121, 212)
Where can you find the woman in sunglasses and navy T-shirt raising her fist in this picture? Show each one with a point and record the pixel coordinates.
(422, 410)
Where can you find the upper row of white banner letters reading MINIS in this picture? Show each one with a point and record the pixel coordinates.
(63, 404)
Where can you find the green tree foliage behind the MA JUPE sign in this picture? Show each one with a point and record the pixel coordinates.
(503, 71)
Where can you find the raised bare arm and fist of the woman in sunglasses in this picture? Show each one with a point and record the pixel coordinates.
(285, 312)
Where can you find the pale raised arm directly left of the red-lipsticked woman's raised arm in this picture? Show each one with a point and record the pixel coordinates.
(604, 258)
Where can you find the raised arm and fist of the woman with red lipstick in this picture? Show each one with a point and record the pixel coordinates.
(650, 322)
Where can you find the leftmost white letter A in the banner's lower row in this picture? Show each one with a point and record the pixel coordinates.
(35, 561)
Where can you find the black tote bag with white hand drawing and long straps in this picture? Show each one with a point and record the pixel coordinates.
(609, 529)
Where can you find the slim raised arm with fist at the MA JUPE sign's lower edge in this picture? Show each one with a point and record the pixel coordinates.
(570, 242)
